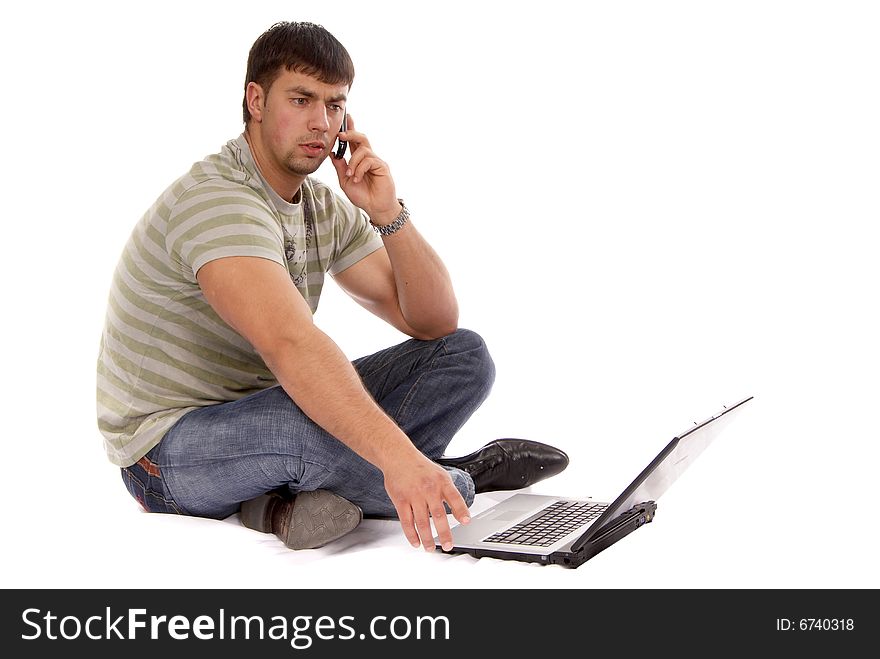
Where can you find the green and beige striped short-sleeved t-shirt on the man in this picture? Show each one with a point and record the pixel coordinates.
(164, 351)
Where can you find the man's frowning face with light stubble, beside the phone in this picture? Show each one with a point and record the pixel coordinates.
(296, 122)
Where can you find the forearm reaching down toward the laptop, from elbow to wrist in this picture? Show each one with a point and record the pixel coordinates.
(322, 382)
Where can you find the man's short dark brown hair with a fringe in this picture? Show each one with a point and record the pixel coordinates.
(302, 47)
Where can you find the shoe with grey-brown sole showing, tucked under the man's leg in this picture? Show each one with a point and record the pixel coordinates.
(303, 521)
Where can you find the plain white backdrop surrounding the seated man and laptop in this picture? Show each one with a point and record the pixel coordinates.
(649, 210)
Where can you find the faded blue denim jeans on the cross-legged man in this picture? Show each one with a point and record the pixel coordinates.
(217, 456)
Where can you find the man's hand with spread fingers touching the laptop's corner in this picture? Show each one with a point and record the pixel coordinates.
(418, 489)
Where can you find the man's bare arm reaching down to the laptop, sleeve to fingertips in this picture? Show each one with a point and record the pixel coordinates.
(257, 299)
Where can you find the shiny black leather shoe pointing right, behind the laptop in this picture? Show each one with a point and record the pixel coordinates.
(509, 464)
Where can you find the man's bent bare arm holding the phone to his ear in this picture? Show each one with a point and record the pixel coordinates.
(406, 284)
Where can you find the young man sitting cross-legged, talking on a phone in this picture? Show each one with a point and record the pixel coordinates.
(217, 393)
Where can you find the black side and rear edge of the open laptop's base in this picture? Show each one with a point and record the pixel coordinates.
(620, 527)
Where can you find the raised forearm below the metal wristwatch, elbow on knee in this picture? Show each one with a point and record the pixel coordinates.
(424, 289)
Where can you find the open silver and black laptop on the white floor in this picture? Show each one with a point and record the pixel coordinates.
(568, 532)
